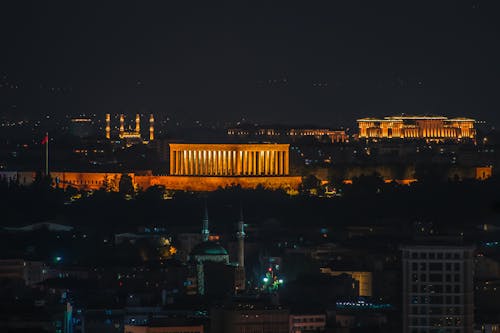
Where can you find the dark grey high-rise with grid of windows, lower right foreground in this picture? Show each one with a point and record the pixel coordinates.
(438, 287)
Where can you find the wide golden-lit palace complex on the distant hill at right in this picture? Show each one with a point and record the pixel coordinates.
(417, 127)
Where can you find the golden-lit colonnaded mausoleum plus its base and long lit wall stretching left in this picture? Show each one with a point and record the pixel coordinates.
(196, 167)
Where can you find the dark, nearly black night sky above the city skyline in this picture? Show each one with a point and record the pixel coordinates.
(321, 62)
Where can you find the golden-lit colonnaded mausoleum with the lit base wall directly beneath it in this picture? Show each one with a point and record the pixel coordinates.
(207, 167)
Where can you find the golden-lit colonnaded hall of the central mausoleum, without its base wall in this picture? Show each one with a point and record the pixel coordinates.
(229, 159)
